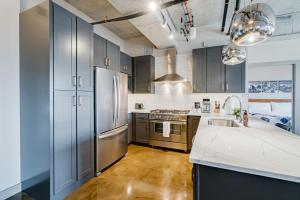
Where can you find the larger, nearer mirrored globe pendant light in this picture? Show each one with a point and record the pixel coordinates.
(252, 25)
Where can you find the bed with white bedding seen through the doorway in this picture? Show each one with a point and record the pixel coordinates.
(275, 111)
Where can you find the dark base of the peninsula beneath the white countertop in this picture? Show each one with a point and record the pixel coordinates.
(210, 183)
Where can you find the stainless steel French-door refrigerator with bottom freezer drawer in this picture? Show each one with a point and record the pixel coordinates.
(111, 104)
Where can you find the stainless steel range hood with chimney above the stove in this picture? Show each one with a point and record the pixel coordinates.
(171, 76)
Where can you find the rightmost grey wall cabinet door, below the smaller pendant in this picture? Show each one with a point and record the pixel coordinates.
(235, 78)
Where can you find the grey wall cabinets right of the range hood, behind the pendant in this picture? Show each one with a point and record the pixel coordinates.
(210, 75)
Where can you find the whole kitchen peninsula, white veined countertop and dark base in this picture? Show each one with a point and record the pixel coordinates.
(234, 163)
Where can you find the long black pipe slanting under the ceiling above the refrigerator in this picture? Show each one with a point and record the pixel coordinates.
(139, 14)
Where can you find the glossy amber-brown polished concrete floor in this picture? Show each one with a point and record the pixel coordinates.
(145, 173)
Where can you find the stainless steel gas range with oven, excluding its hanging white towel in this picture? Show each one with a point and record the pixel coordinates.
(178, 128)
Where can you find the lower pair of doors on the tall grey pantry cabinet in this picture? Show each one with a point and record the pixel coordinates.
(73, 144)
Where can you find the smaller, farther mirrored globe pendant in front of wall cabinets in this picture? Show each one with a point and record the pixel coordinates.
(233, 55)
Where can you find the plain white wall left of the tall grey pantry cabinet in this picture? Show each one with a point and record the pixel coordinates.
(9, 95)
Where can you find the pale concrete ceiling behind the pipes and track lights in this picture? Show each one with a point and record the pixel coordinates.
(207, 19)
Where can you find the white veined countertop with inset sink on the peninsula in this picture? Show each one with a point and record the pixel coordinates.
(262, 149)
